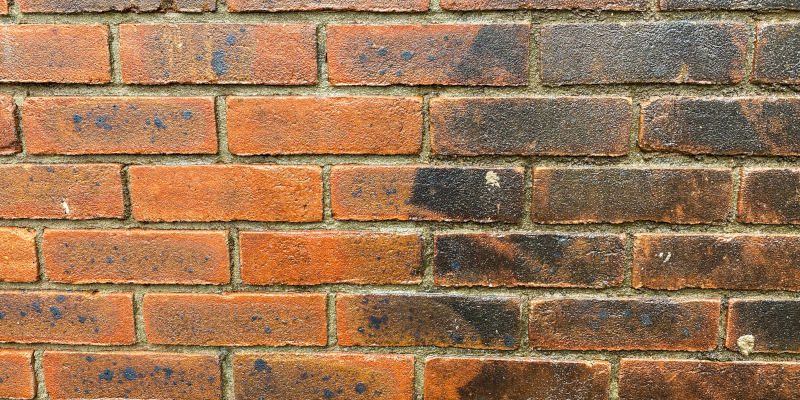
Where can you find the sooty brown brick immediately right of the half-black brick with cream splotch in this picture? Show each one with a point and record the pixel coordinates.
(621, 194)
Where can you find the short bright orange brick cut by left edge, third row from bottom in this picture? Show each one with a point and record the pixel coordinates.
(18, 255)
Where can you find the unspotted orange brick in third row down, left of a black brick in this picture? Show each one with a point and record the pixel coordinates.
(324, 125)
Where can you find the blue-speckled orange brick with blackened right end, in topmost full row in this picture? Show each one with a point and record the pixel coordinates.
(377, 55)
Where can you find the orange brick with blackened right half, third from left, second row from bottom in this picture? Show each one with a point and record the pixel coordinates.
(399, 319)
